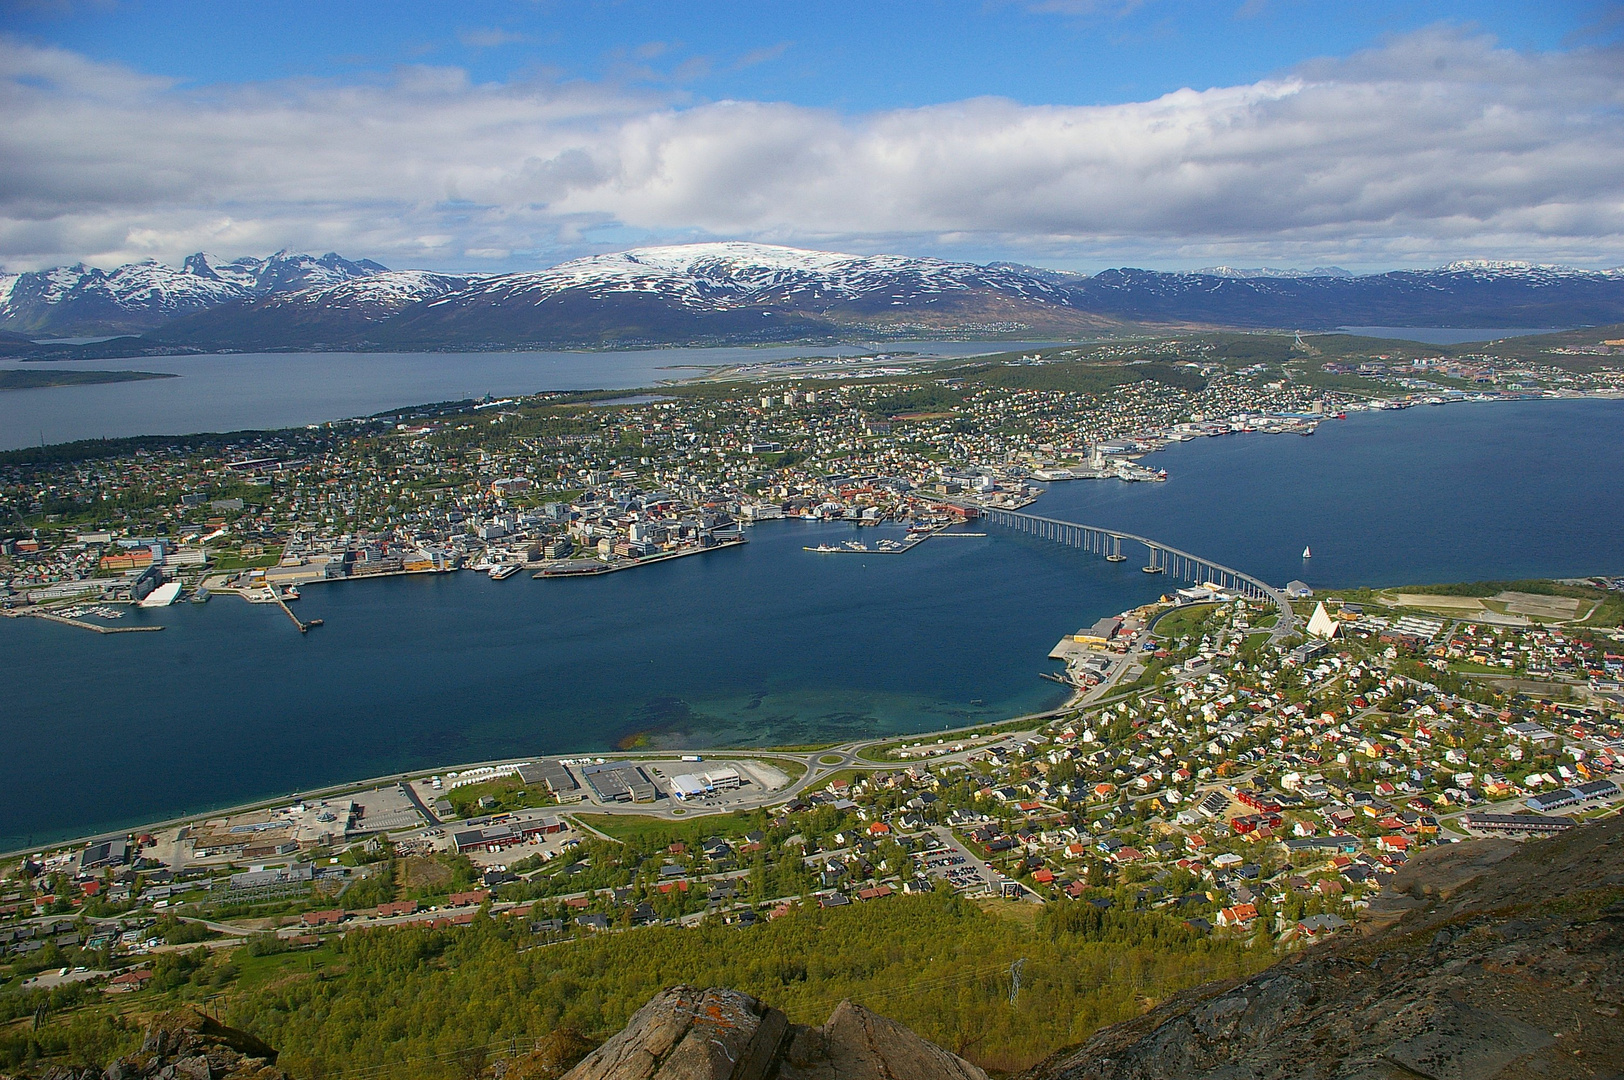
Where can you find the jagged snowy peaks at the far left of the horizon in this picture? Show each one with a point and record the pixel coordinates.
(85, 301)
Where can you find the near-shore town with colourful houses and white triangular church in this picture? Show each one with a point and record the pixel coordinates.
(1248, 788)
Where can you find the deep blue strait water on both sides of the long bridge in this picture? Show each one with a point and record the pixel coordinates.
(769, 644)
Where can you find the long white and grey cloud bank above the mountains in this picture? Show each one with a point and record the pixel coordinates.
(1433, 147)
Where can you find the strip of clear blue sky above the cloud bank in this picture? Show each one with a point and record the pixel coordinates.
(832, 54)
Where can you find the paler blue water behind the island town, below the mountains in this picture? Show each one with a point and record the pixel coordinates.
(267, 391)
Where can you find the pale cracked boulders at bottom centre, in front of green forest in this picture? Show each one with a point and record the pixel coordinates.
(688, 1034)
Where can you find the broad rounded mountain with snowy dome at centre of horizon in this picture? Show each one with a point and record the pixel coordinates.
(696, 293)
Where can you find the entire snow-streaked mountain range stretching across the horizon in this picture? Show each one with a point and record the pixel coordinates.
(749, 293)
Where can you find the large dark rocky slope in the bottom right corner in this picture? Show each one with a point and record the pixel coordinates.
(1487, 961)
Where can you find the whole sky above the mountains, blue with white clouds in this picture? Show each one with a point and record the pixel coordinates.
(1076, 134)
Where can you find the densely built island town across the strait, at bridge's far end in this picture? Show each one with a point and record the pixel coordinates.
(564, 485)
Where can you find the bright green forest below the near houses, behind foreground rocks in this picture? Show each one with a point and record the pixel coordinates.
(436, 1004)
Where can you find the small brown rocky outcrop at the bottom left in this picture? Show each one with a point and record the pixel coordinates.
(186, 1045)
